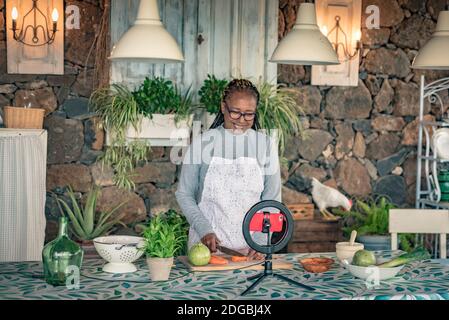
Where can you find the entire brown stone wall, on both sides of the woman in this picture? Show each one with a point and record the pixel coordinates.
(361, 139)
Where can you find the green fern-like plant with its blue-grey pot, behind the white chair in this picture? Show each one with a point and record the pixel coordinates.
(371, 219)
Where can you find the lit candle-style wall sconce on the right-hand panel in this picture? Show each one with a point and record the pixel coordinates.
(341, 45)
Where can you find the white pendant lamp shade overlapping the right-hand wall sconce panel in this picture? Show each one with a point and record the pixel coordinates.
(305, 44)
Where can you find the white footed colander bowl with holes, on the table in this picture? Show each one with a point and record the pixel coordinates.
(120, 252)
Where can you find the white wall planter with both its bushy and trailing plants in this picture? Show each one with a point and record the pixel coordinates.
(156, 114)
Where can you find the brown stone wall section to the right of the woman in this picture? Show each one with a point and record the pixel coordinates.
(363, 139)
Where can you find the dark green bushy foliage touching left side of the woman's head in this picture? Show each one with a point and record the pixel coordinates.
(211, 93)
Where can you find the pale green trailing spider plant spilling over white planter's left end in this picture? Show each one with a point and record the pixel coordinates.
(118, 109)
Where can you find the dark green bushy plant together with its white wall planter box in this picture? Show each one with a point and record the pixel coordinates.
(165, 115)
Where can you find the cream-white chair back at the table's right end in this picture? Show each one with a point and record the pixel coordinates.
(423, 221)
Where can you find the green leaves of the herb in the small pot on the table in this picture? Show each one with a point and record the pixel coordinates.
(164, 236)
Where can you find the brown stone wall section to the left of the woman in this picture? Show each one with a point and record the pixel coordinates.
(75, 138)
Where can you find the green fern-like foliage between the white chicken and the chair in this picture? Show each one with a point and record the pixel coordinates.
(371, 217)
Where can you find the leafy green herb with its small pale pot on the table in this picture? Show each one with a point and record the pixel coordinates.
(164, 237)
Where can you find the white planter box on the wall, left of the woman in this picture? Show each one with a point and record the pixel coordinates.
(161, 131)
